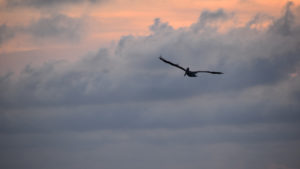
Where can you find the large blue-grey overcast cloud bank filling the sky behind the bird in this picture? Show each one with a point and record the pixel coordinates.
(123, 108)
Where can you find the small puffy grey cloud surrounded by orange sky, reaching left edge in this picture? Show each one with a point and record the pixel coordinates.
(57, 27)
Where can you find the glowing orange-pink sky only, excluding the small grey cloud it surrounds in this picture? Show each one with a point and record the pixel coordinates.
(106, 21)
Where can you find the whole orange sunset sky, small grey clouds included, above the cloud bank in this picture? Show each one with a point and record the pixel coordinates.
(34, 31)
